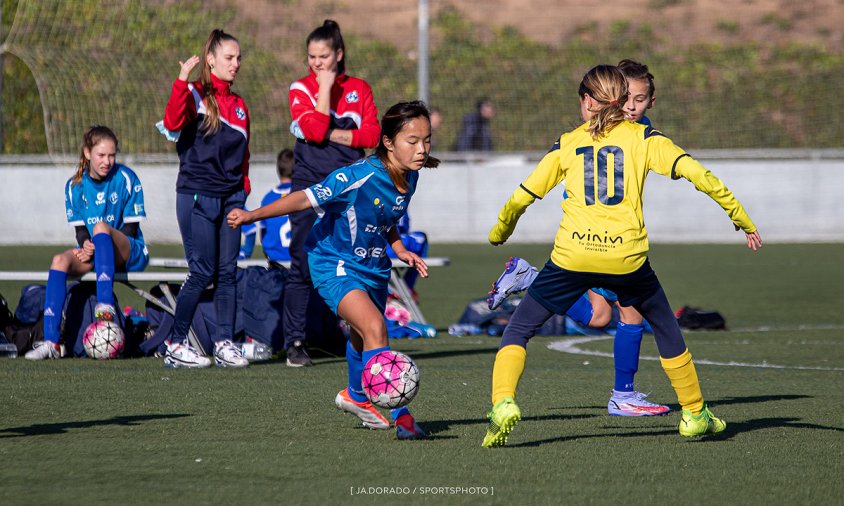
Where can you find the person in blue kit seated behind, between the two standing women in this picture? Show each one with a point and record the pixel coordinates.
(275, 232)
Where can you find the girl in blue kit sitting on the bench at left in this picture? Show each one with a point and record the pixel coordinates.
(105, 203)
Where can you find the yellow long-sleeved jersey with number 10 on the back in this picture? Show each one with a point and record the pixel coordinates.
(603, 228)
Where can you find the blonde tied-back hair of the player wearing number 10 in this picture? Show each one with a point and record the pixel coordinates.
(607, 86)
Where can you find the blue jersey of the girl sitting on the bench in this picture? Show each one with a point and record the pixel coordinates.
(117, 199)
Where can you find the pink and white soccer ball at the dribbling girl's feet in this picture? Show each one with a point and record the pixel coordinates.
(390, 379)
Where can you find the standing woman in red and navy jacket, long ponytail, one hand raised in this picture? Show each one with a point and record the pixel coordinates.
(212, 125)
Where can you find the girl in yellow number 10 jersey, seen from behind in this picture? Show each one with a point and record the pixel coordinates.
(602, 241)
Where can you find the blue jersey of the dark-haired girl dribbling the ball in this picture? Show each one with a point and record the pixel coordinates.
(357, 205)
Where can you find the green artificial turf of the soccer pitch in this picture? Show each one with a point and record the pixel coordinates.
(78, 431)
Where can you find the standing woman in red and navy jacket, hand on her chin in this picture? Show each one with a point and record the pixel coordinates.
(334, 120)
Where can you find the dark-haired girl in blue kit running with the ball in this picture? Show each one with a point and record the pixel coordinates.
(358, 207)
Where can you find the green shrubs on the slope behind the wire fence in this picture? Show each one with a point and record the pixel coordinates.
(708, 96)
